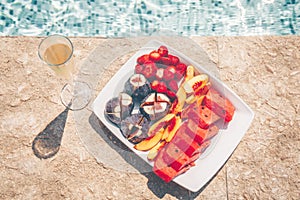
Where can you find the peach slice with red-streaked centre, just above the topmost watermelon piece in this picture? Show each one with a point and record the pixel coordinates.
(195, 83)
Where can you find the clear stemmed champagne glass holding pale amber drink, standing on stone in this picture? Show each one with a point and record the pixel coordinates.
(57, 52)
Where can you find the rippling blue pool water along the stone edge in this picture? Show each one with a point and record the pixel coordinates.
(145, 17)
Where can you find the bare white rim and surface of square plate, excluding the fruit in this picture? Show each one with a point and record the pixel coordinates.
(222, 145)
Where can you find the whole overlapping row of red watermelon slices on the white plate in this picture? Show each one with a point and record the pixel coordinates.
(194, 135)
